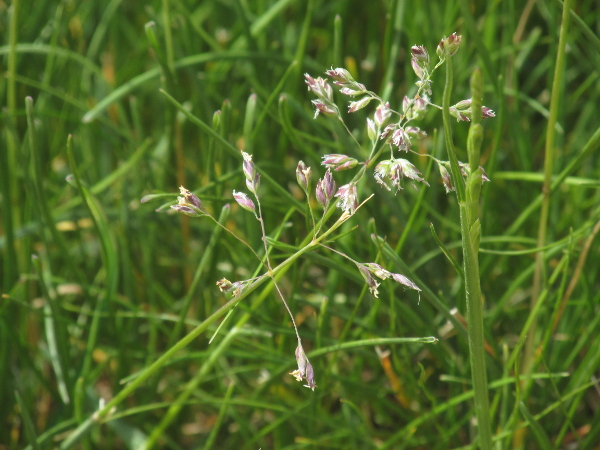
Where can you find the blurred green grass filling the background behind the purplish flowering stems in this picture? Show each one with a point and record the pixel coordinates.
(113, 285)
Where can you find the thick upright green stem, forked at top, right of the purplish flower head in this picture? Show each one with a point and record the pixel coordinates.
(468, 198)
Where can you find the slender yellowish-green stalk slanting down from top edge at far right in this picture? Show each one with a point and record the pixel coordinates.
(547, 186)
